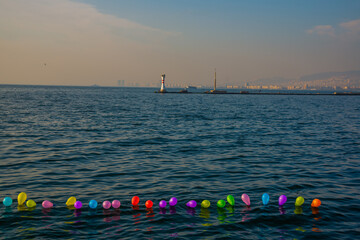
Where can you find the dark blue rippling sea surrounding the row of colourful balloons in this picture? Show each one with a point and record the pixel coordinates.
(112, 143)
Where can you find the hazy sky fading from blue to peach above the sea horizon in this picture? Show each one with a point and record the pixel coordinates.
(85, 42)
